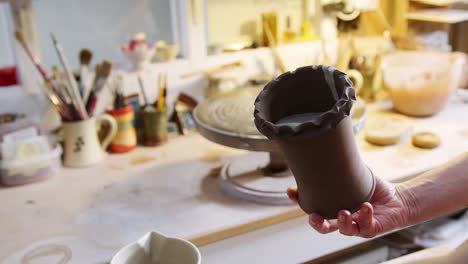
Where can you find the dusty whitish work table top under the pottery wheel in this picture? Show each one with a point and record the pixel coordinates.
(93, 212)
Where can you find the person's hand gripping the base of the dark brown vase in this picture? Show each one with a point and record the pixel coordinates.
(385, 211)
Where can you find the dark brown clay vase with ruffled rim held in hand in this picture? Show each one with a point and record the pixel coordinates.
(320, 151)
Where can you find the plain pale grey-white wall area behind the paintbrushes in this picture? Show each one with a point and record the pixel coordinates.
(100, 25)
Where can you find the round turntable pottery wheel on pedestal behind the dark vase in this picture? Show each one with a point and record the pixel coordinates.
(227, 119)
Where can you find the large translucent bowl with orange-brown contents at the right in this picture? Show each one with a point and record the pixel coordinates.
(420, 83)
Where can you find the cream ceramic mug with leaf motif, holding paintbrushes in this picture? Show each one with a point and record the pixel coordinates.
(81, 143)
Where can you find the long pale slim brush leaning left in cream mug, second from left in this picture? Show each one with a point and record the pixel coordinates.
(72, 85)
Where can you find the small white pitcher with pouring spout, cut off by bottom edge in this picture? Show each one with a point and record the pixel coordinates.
(156, 248)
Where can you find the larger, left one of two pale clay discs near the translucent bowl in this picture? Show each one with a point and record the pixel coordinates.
(387, 131)
